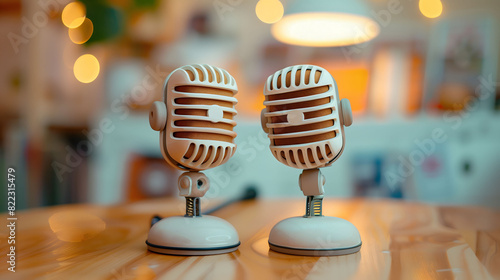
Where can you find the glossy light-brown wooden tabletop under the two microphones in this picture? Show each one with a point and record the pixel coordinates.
(401, 240)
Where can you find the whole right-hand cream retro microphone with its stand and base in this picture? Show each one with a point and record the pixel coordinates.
(305, 120)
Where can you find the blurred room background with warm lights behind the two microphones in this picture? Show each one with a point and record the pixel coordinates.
(77, 80)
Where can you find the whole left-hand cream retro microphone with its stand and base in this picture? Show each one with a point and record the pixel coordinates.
(196, 121)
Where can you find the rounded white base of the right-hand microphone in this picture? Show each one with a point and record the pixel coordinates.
(315, 236)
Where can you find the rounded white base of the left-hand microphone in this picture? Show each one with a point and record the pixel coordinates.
(192, 236)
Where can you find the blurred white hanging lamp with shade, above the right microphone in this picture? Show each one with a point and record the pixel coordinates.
(326, 23)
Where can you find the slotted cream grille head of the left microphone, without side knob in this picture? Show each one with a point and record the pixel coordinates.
(201, 109)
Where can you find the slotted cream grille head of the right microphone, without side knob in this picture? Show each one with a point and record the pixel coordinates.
(302, 116)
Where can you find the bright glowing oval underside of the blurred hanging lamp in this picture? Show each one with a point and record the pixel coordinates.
(321, 29)
